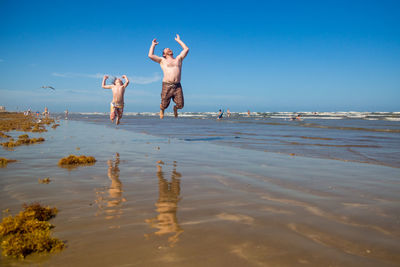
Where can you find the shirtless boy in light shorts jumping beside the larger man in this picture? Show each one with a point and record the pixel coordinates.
(118, 89)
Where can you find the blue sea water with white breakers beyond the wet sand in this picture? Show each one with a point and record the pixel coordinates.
(353, 136)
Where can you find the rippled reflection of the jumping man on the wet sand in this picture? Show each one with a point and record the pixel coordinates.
(166, 221)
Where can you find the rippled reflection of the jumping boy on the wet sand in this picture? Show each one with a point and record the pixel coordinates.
(110, 203)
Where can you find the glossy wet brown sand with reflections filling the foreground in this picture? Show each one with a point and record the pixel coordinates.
(203, 205)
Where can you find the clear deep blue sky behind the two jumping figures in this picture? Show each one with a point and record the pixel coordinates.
(261, 56)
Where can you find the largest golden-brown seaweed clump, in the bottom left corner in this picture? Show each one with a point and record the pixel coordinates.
(29, 232)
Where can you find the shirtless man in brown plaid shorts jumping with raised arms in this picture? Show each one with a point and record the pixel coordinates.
(172, 68)
